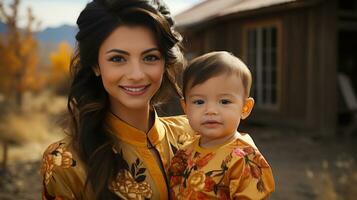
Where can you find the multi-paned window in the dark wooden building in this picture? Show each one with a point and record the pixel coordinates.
(262, 47)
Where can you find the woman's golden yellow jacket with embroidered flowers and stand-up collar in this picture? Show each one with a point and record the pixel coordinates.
(64, 174)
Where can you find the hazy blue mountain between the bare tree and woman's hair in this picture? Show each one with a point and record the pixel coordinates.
(55, 35)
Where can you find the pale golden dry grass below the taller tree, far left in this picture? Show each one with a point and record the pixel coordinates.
(36, 127)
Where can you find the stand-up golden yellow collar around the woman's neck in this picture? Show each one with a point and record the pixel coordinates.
(132, 135)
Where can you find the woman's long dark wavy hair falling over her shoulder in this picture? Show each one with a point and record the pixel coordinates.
(88, 101)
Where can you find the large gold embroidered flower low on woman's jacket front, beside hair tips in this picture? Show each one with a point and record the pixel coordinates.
(126, 187)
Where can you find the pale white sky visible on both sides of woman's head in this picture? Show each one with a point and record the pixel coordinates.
(53, 13)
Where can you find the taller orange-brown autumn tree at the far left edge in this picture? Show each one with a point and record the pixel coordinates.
(19, 62)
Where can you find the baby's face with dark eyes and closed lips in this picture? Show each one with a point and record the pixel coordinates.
(214, 108)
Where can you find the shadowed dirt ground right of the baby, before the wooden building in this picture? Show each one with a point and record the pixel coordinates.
(310, 167)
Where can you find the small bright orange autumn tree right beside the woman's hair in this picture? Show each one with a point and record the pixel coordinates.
(60, 61)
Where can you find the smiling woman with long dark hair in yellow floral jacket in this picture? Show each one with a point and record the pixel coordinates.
(127, 60)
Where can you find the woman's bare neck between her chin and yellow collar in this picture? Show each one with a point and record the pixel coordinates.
(138, 118)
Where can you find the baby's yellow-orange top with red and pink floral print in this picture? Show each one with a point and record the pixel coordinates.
(236, 170)
